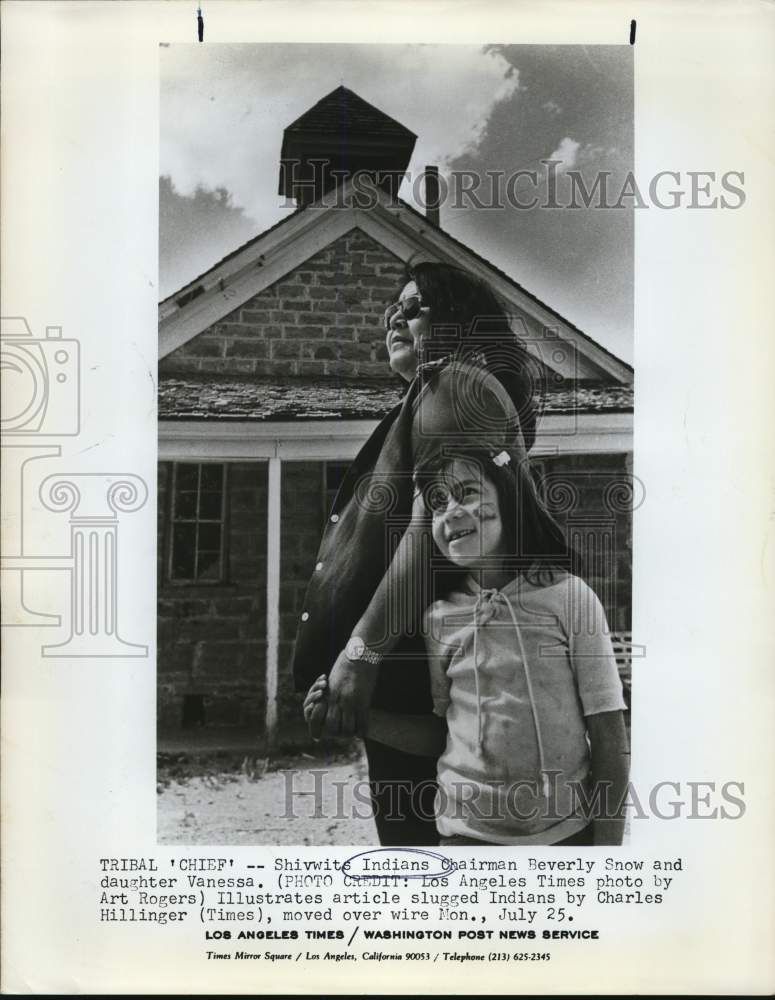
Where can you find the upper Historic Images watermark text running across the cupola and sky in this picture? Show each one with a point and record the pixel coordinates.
(552, 186)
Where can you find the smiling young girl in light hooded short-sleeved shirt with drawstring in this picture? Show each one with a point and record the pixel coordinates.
(521, 666)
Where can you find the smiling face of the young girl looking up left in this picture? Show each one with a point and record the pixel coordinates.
(467, 526)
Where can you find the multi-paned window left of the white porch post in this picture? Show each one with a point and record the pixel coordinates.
(198, 506)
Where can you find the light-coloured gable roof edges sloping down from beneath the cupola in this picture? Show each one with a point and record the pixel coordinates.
(409, 235)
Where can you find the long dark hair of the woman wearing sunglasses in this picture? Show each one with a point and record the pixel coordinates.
(467, 319)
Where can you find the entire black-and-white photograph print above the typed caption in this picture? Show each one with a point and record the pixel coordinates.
(387, 270)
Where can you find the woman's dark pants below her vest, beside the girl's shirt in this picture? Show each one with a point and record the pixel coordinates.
(403, 791)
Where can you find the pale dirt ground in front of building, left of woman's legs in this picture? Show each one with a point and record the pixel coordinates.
(298, 798)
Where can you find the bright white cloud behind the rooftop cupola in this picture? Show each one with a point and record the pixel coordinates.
(223, 109)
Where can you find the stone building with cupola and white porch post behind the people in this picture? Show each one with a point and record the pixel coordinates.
(272, 373)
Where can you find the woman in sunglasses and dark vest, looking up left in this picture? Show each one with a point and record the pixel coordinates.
(470, 379)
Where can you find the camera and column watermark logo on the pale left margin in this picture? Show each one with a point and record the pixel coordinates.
(41, 399)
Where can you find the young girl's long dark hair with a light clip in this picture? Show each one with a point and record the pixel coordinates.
(536, 546)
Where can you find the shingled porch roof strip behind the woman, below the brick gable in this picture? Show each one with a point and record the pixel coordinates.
(187, 397)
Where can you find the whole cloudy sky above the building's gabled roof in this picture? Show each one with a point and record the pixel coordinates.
(497, 108)
